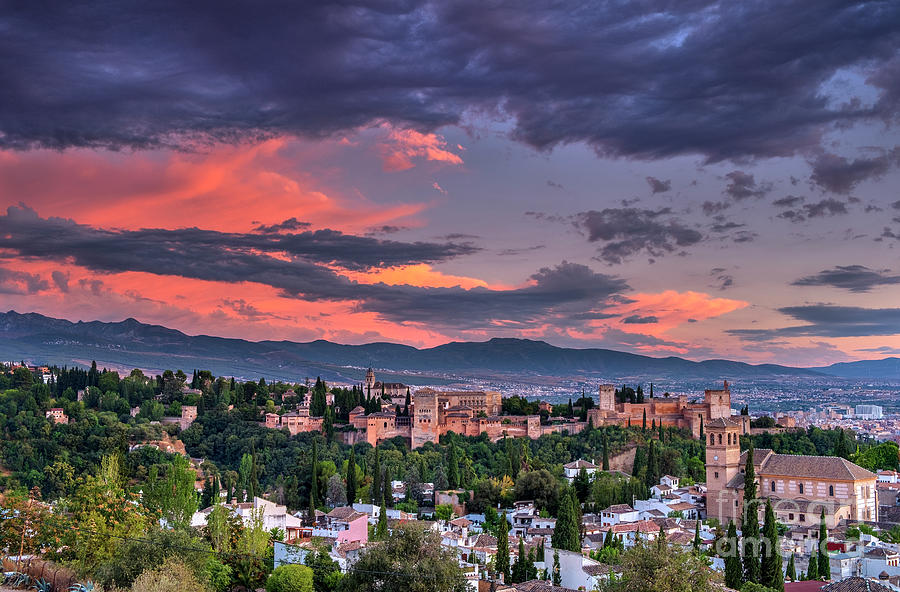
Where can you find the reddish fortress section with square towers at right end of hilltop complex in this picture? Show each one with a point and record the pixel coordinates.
(669, 411)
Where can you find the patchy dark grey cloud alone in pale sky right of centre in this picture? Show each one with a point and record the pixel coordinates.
(625, 232)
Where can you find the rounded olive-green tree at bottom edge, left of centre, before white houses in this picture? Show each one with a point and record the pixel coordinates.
(387, 566)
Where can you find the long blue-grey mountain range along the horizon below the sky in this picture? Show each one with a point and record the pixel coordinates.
(132, 344)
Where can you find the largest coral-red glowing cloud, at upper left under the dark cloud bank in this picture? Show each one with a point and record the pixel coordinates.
(225, 188)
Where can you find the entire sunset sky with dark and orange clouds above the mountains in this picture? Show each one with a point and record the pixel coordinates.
(693, 178)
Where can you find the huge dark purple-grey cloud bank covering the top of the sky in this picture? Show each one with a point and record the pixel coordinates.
(641, 79)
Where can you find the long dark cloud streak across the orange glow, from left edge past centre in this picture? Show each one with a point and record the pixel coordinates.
(553, 292)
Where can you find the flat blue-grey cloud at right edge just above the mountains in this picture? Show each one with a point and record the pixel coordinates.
(825, 320)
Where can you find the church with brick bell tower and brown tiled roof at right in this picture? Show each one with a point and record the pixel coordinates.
(799, 487)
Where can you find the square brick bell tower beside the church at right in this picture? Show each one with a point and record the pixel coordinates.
(723, 465)
